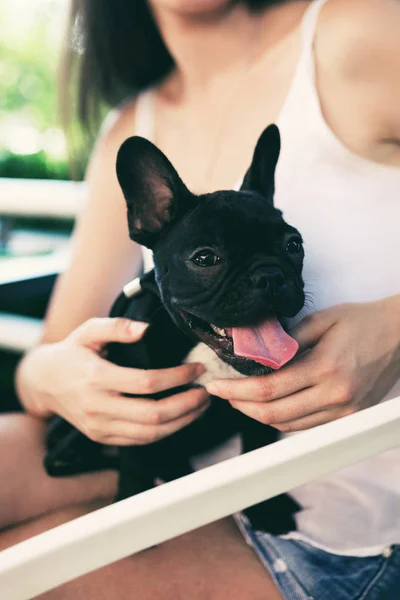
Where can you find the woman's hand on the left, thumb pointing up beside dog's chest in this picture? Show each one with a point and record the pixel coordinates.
(70, 378)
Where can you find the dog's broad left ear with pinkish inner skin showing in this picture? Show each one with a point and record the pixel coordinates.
(154, 193)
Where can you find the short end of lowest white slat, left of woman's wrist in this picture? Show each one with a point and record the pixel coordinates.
(18, 333)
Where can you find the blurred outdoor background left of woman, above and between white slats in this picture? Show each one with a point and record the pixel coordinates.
(32, 145)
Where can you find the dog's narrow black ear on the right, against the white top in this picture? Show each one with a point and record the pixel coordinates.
(260, 177)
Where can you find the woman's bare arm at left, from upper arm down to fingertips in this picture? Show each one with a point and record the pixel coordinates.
(66, 374)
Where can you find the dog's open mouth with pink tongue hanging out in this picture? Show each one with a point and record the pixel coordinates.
(266, 343)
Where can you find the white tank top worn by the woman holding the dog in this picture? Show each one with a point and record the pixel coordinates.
(348, 211)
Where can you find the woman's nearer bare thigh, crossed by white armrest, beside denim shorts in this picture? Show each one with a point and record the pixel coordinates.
(211, 563)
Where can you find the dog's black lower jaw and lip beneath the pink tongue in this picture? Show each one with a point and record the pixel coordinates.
(221, 342)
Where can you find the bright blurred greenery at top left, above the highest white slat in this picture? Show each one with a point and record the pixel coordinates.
(32, 144)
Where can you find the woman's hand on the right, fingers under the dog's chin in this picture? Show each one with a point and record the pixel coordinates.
(352, 361)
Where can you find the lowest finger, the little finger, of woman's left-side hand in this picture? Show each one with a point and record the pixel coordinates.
(148, 434)
